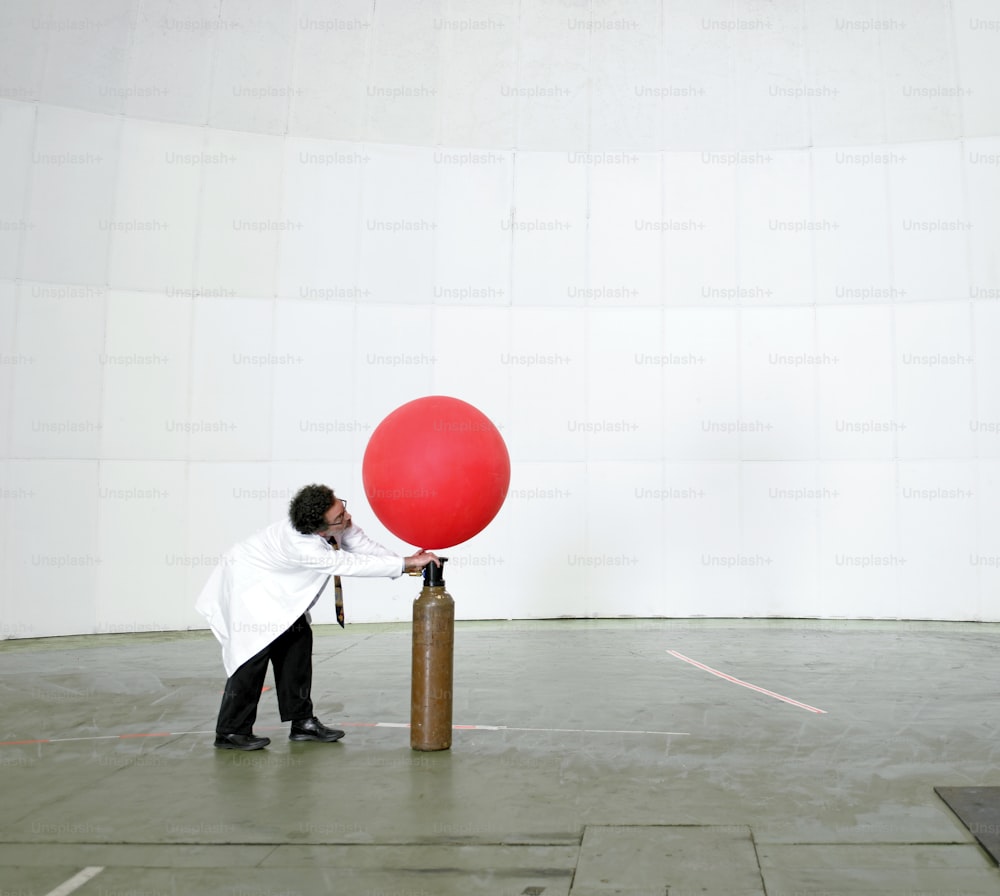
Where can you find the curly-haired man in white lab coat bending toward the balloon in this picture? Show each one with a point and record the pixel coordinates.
(257, 603)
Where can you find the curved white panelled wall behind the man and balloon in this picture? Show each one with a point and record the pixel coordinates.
(724, 273)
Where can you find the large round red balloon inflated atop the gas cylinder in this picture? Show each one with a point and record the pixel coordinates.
(436, 472)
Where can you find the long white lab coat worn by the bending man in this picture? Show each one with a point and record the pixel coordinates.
(262, 585)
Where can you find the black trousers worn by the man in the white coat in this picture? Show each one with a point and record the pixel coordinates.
(291, 655)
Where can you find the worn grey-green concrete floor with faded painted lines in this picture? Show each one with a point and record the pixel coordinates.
(604, 764)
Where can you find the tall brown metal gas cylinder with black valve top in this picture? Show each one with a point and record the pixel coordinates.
(433, 661)
